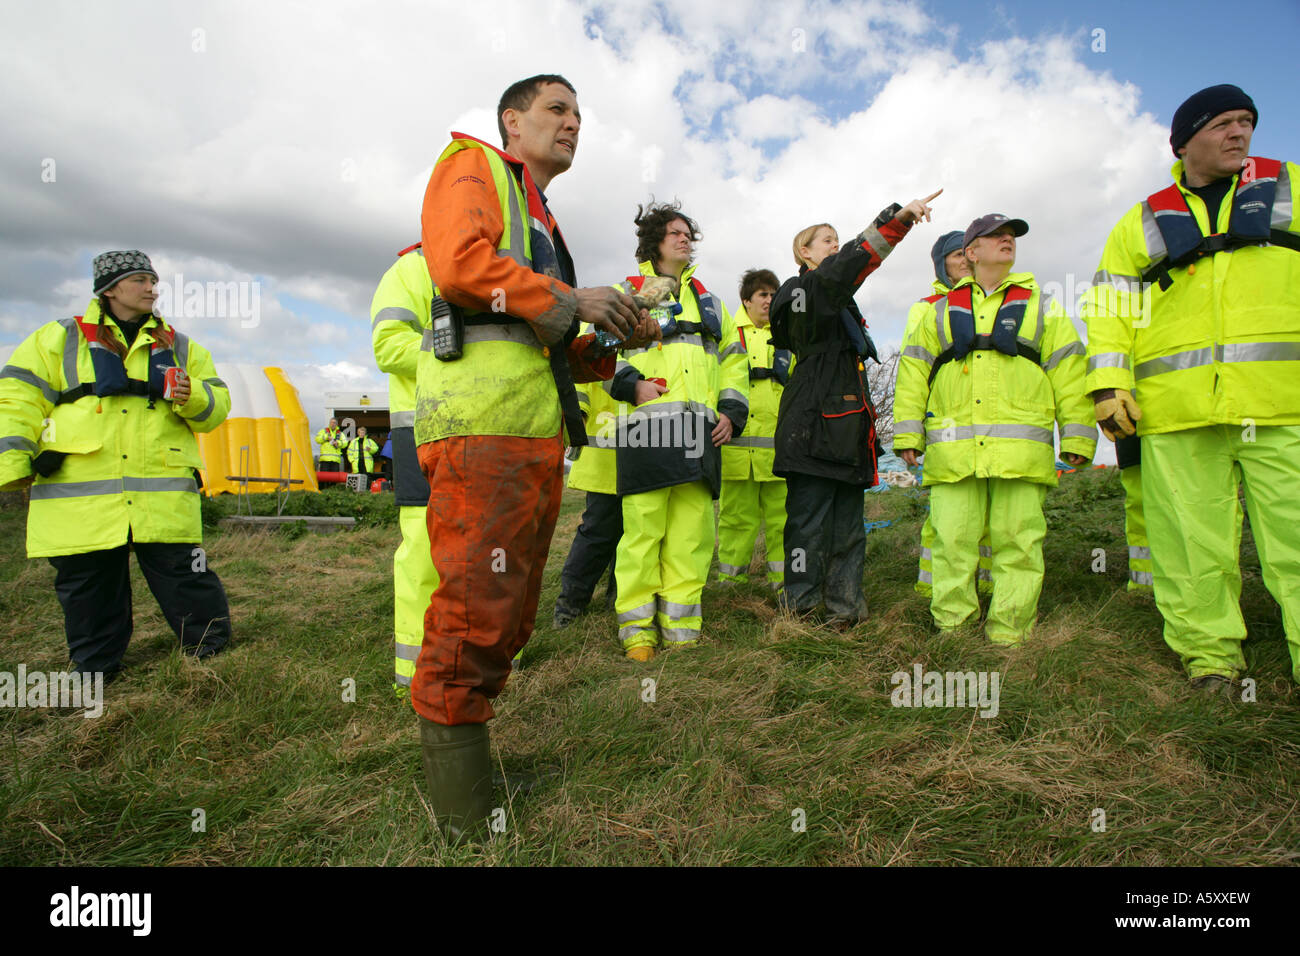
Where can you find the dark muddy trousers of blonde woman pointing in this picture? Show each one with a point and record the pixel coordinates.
(826, 547)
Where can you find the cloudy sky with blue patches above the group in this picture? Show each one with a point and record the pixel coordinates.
(288, 145)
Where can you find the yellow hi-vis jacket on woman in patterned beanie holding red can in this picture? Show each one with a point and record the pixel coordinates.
(131, 469)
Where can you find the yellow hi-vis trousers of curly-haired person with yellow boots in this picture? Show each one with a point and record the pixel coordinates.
(662, 565)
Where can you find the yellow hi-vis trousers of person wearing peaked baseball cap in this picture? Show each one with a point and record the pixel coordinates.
(1013, 512)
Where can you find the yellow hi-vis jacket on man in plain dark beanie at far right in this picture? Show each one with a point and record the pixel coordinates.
(1223, 343)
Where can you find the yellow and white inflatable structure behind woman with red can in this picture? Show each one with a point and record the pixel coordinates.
(267, 417)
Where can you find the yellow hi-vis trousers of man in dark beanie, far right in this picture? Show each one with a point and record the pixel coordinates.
(1189, 485)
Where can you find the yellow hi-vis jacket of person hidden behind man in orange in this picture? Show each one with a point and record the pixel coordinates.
(400, 314)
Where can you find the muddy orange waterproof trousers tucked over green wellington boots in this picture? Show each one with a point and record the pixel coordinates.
(493, 501)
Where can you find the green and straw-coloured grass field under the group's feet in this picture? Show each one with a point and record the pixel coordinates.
(775, 743)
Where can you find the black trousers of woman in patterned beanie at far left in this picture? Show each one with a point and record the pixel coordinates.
(96, 592)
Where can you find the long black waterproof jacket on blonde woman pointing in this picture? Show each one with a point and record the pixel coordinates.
(826, 425)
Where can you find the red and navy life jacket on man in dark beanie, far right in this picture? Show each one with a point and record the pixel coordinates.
(1250, 222)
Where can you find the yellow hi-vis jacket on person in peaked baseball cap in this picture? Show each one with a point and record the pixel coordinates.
(991, 414)
